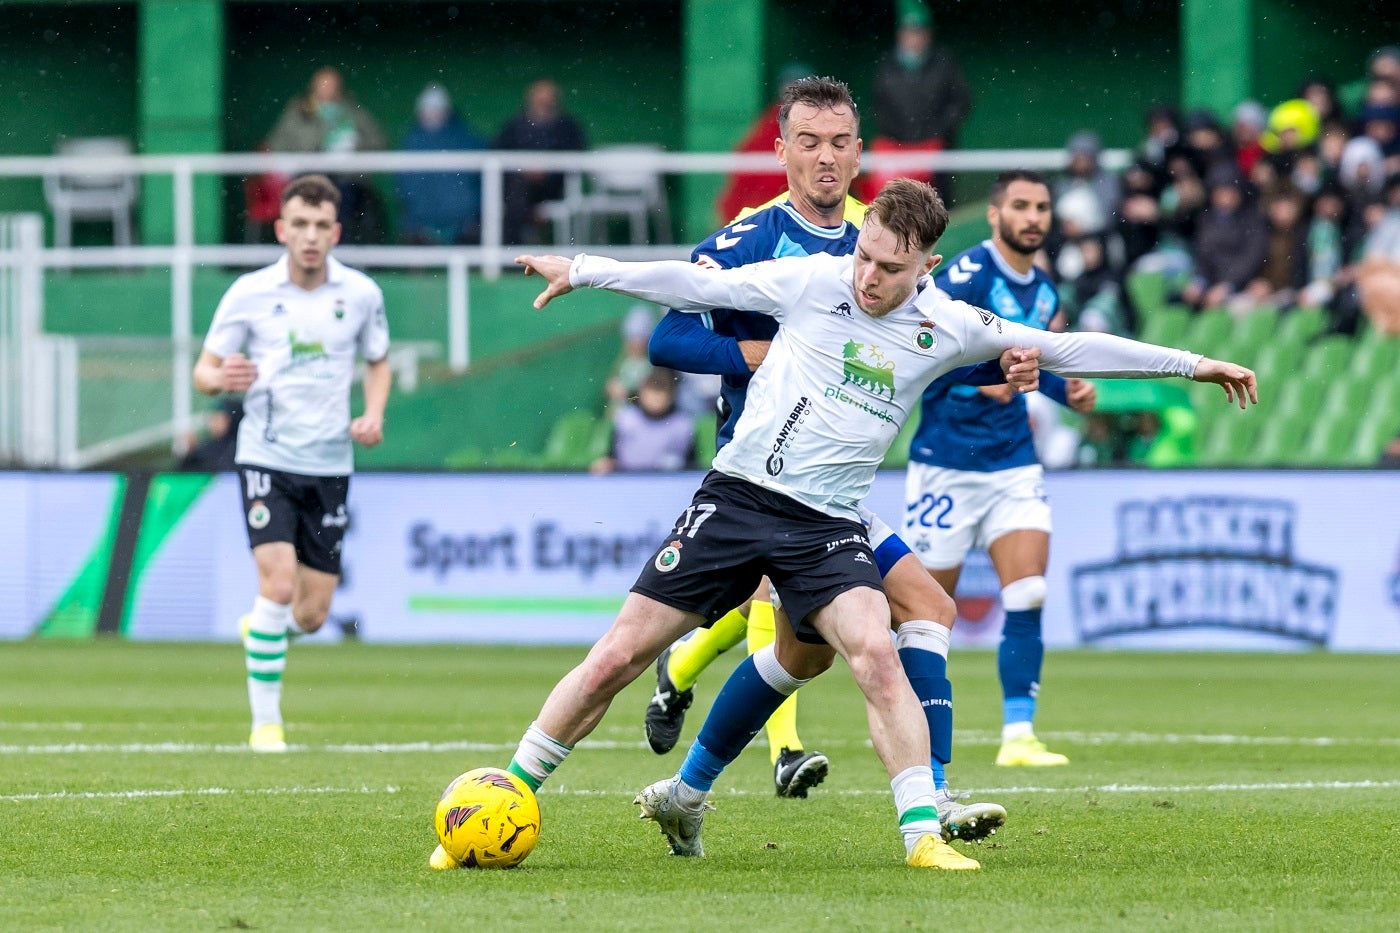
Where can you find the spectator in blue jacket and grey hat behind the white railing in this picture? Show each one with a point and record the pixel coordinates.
(440, 208)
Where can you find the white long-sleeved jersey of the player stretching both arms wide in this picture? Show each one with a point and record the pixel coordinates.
(838, 385)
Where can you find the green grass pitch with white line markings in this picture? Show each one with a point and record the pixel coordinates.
(1233, 792)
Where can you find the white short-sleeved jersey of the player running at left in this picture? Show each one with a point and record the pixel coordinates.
(304, 344)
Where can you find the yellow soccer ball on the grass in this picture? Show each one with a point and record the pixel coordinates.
(488, 819)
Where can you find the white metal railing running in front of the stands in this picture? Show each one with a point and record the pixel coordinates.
(24, 264)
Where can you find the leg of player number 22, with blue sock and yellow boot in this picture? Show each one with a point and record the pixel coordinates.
(1020, 560)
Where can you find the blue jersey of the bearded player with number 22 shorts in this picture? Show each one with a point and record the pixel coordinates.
(960, 428)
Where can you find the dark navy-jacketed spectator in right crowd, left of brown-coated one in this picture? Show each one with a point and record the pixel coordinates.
(1230, 246)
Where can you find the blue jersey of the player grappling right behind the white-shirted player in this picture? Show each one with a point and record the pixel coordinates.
(775, 232)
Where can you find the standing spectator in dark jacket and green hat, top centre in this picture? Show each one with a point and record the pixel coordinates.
(922, 97)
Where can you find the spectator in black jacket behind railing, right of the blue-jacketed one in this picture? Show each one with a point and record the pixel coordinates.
(542, 125)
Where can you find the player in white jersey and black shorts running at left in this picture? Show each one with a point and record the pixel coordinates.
(302, 323)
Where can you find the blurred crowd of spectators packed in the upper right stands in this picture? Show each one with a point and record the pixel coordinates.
(1291, 205)
